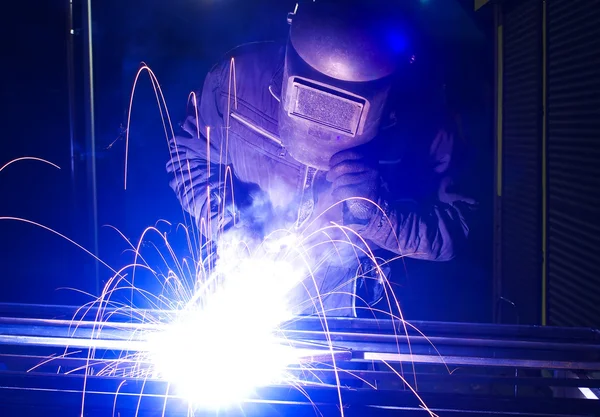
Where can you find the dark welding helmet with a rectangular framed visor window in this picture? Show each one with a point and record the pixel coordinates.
(339, 63)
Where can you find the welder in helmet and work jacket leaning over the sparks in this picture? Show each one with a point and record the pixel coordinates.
(307, 129)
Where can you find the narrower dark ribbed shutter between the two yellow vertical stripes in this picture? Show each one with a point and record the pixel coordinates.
(521, 218)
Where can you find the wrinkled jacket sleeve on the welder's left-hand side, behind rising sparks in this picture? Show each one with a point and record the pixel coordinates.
(201, 173)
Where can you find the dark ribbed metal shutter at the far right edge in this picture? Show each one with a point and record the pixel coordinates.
(573, 158)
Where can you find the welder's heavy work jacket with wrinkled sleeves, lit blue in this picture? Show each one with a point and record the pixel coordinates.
(228, 154)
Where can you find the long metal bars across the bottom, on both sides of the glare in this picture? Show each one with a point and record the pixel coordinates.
(457, 369)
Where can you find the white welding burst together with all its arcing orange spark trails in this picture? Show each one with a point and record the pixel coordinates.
(228, 288)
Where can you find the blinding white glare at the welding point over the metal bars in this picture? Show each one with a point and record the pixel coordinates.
(221, 348)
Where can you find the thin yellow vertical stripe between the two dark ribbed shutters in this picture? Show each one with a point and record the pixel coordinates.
(544, 150)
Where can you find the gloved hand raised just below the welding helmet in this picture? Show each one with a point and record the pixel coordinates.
(355, 178)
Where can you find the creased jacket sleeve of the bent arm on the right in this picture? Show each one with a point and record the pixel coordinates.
(433, 228)
